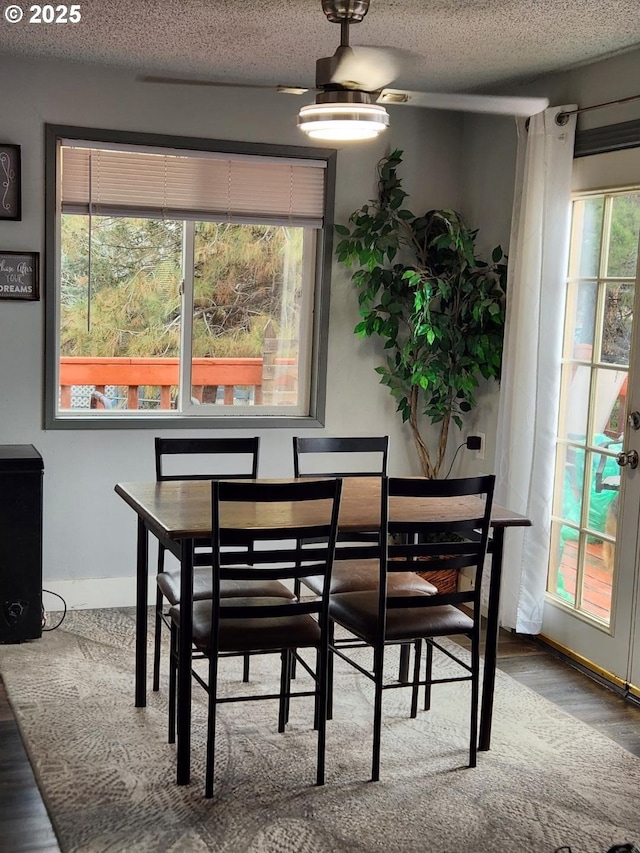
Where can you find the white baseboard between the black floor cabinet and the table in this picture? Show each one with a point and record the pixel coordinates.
(94, 593)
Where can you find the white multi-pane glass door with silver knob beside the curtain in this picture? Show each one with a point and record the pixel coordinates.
(592, 594)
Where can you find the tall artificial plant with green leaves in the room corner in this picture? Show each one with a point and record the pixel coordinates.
(438, 307)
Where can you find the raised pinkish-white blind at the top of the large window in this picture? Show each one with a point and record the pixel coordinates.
(130, 181)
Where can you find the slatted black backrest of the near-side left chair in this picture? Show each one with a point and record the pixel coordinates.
(267, 521)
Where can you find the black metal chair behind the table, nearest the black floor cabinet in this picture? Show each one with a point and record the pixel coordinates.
(228, 458)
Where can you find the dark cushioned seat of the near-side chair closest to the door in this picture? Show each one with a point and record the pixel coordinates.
(358, 613)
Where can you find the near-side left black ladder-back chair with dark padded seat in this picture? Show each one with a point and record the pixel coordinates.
(249, 625)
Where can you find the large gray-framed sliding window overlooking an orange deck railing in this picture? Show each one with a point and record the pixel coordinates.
(188, 281)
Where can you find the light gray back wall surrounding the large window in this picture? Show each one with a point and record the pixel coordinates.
(89, 532)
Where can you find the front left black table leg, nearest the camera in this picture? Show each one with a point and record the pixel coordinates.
(184, 663)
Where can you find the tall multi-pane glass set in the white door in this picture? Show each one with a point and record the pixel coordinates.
(593, 400)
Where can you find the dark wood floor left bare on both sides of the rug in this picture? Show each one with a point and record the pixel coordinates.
(25, 826)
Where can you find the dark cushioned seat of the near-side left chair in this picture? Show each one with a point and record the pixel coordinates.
(246, 635)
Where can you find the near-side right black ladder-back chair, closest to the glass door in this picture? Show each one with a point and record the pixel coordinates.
(453, 537)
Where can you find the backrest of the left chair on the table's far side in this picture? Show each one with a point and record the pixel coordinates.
(222, 458)
